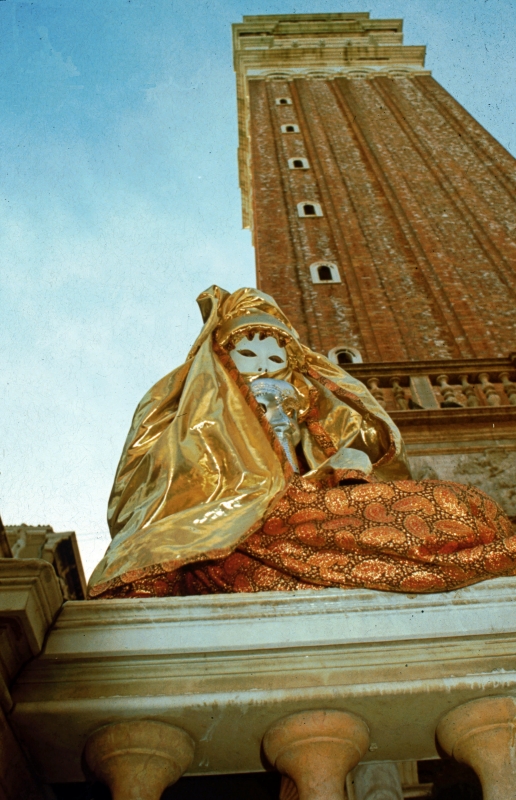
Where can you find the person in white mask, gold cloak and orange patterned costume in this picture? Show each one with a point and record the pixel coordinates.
(260, 465)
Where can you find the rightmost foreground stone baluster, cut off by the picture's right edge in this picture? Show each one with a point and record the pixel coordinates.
(482, 734)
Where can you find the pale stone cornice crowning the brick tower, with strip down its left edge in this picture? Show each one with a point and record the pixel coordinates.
(313, 46)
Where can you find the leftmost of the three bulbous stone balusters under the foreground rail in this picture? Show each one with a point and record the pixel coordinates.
(139, 759)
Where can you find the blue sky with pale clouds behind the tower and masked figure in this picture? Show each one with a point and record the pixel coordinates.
(119, 203)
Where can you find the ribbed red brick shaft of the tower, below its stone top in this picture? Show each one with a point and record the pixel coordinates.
(419, 215)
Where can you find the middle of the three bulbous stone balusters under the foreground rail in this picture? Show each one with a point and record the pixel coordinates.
(317, 749)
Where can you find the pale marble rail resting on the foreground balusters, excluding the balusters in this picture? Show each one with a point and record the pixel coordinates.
(225, 668)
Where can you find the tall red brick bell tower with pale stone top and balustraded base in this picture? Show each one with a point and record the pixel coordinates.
(384, 223)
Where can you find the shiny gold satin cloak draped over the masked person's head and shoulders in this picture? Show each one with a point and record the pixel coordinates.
(197, 473)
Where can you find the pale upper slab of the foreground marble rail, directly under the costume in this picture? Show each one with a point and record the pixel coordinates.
(272, 620)
